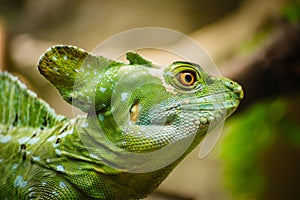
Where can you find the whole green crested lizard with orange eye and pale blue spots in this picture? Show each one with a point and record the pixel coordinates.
(141, 121)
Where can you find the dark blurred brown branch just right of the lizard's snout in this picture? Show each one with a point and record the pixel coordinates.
(274, 70)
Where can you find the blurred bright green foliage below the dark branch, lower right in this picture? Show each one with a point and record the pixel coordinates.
(249, 136)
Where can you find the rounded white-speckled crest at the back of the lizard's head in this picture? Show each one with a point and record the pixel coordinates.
(74, 72)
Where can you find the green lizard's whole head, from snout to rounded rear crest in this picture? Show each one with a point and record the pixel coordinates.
(141, 107)
